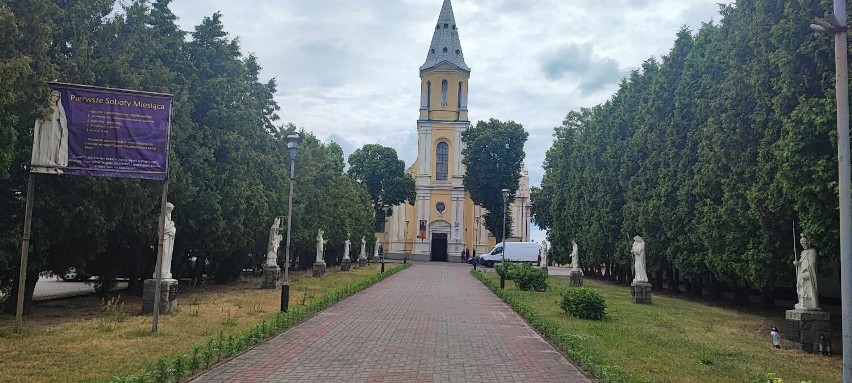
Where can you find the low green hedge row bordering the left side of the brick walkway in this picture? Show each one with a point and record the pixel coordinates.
(201, 357)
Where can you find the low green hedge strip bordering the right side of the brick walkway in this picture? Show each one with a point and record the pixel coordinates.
(569, 344)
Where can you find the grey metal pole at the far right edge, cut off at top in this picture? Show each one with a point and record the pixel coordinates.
(837, 27)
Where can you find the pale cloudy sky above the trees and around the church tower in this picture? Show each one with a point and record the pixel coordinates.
(348, 70)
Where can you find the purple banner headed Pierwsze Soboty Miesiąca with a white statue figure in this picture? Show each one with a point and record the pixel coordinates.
(91, 131)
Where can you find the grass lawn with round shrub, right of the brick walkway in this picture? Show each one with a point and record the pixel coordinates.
(676, 340)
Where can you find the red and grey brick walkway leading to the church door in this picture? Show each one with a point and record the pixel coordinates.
(415, 326)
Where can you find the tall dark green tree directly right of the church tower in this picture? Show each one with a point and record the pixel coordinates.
(493, 155)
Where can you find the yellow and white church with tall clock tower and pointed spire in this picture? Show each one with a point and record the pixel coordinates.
(444, 220)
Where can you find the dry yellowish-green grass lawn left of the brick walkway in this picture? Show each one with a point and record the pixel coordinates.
(87, 340)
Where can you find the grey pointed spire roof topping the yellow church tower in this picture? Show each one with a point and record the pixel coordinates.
(446, 46)
